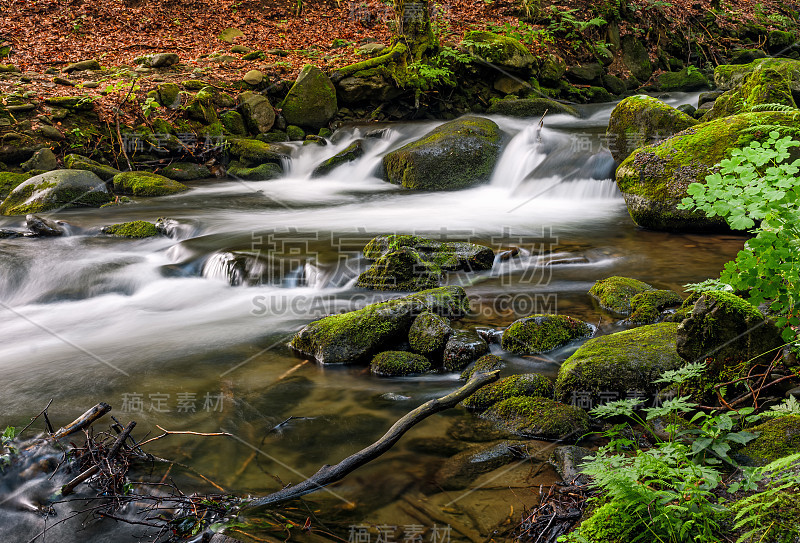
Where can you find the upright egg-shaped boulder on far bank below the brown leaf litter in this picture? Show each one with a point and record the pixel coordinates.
(311, 101)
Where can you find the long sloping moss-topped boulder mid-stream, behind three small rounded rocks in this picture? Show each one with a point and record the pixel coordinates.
(356, 336)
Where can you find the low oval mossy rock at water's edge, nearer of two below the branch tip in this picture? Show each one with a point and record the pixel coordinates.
(539, 418)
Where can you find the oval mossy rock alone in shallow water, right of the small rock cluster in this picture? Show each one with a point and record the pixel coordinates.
(541, 333)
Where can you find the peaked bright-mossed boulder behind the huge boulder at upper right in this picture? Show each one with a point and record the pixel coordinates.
(762, 86)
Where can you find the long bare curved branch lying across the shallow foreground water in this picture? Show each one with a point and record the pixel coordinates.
(330, 474)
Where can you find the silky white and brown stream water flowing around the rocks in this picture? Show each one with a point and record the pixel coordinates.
(189, 332)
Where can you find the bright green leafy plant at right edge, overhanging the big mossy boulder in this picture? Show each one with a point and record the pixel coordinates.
(758, 184)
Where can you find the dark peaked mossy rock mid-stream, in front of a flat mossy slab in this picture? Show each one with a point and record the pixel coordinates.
(403, 269)
